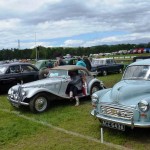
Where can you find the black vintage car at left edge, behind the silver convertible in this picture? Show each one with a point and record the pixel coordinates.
(16, 72)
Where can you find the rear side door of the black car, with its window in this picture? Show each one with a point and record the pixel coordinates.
(29, 73)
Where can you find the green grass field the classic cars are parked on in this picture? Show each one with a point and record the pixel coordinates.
(61, 127)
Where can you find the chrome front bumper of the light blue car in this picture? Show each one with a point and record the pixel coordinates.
(130, 123)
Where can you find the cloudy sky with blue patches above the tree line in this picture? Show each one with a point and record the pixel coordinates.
(73, 23)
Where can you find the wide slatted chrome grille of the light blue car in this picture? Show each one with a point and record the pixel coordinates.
(117, 112)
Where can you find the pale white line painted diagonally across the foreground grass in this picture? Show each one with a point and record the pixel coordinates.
(65, 131)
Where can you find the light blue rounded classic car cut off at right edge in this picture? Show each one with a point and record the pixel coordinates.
(127, 103)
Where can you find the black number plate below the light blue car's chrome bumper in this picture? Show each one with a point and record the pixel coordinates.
(113, 125)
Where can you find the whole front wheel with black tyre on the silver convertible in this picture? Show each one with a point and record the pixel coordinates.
(39, 103)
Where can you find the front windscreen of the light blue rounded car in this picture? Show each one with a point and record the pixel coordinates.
(137, 72)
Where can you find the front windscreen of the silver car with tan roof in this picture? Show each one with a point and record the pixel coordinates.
(58, 73)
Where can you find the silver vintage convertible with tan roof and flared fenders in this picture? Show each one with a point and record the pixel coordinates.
(38, 94)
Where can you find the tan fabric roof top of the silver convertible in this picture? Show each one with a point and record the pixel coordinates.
(69, 67)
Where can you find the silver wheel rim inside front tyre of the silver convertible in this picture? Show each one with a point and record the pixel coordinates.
(41, 104)
